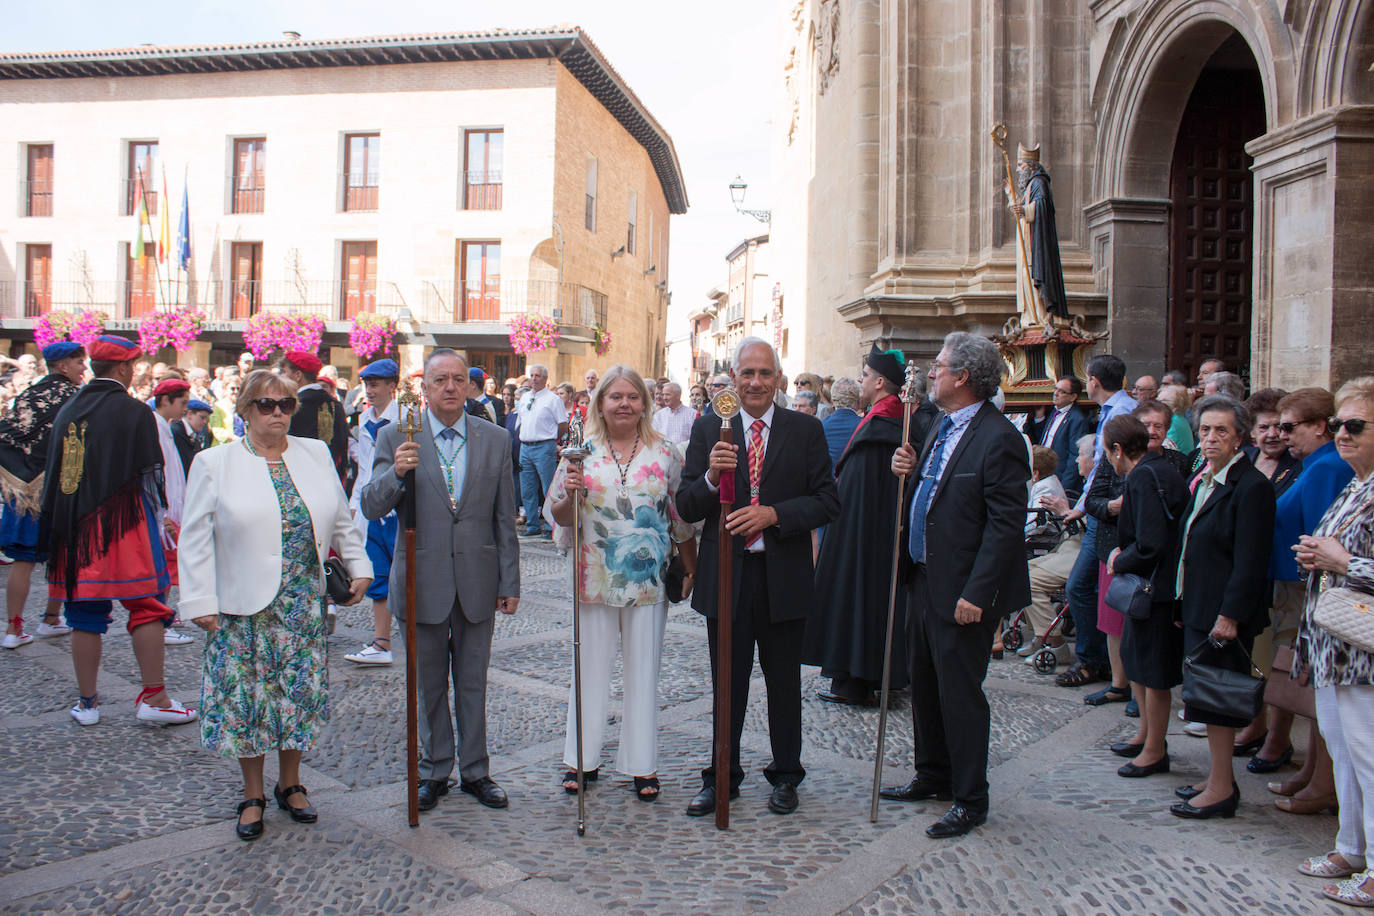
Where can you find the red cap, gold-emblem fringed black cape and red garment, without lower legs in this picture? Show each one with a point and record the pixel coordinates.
(104, 503)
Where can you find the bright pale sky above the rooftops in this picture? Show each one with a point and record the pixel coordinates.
(707, 71)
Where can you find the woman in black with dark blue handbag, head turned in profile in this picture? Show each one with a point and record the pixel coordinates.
(1152, 649)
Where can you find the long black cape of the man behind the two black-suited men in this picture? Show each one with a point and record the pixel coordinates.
(854, 572)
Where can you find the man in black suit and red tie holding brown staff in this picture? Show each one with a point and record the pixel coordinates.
(784, 491)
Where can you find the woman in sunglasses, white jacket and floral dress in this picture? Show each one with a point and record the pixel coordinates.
(263, 604)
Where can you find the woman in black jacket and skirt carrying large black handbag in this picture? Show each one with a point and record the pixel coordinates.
(1222, 584)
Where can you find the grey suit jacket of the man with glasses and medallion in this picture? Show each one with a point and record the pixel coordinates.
(471, 551)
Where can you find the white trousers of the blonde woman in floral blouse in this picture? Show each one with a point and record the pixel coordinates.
(640, 632)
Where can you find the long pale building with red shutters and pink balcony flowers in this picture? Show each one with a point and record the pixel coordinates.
(460, 181)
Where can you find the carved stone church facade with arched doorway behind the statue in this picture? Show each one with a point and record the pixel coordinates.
(1211, 163)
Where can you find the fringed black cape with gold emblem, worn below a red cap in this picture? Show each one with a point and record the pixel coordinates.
(105, 458)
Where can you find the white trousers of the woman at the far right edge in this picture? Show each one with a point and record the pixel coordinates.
(1346, 716)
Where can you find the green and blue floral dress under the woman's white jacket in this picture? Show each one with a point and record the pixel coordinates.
(266, 682)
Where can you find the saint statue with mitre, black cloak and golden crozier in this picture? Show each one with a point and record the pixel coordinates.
(1041, 282)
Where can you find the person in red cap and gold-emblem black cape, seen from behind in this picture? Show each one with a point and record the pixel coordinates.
(102, 507)
